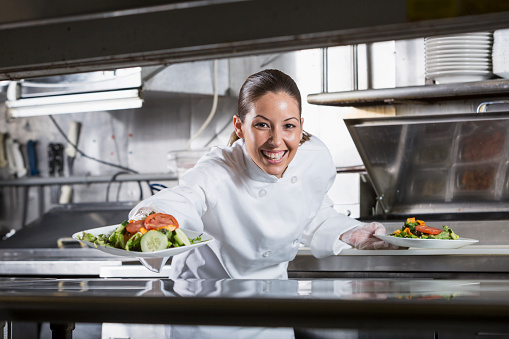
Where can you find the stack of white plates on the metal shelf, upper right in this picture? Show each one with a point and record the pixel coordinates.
(459, 58)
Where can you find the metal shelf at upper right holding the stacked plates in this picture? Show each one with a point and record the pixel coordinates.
(371, 97)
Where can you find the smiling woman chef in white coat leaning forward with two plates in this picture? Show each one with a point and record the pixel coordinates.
(262, 195)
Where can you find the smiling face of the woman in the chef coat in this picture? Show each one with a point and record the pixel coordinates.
(272, 131)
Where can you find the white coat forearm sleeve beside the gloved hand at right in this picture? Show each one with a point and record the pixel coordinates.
(322, 233)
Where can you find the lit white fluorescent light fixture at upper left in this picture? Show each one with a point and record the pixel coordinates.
(73, 103)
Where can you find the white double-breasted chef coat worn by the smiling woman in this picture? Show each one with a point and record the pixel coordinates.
(257, 220)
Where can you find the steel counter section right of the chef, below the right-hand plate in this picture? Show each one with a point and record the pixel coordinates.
(470, 262)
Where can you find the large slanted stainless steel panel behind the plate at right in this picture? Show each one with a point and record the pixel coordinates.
(438, 164)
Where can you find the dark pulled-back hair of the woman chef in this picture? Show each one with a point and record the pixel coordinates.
(261, 83)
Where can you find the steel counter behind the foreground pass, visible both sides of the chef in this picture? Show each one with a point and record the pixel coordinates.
(481, 261)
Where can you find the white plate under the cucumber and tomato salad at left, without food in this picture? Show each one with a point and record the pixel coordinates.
(133, 254)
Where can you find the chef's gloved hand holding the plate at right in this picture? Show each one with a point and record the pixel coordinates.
(362, 237)
